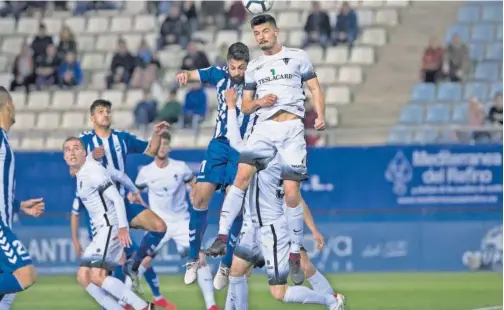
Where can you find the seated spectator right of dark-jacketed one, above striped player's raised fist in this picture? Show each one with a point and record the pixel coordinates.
(146, 69)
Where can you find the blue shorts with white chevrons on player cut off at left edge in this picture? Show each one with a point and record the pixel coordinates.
(13, 254)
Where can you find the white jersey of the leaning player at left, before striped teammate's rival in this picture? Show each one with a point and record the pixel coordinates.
(99, 195)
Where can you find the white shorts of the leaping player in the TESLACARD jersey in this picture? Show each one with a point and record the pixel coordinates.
(285, 138)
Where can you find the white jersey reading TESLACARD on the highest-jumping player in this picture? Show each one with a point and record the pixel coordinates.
(281, 74)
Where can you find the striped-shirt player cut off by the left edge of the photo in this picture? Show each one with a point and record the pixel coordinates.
(18, 271)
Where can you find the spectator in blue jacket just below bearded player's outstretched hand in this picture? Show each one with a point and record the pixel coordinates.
(195, 107)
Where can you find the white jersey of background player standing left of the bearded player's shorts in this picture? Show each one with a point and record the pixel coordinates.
(166, 188)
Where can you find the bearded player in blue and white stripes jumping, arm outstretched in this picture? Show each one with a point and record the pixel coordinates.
(219, 168)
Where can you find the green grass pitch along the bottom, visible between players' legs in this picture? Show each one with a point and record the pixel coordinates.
(370, 291)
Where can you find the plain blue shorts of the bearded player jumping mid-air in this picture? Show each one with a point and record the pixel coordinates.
(220, 164)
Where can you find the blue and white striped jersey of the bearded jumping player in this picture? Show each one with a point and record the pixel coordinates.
(220, 79)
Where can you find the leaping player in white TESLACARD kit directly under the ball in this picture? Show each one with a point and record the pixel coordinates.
(276, 80)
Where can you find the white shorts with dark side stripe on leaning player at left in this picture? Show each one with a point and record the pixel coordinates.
(105, 250)
